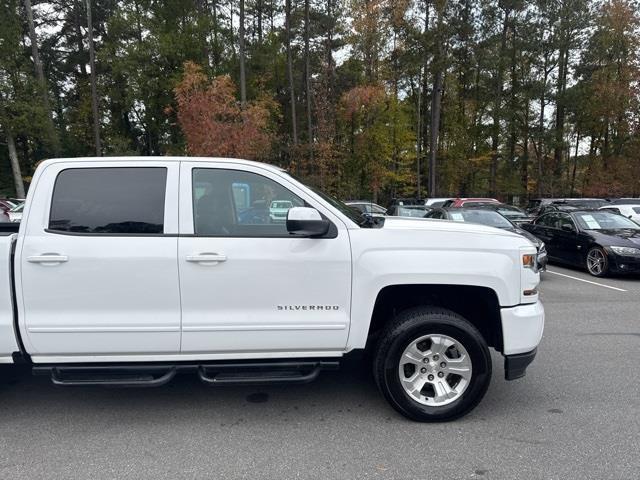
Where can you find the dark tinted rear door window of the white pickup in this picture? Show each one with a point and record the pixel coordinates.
(127, 200)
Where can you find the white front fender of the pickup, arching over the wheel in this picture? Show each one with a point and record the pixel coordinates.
(490, 263)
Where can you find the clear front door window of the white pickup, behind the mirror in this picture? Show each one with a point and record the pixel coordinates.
(259, 211)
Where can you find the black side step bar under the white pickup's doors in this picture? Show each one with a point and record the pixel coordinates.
(215, 374)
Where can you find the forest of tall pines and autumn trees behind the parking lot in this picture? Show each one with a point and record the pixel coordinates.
(366, 99)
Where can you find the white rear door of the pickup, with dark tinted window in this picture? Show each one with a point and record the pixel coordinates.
(98, 260)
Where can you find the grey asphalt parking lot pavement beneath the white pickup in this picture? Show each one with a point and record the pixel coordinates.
(575, 416)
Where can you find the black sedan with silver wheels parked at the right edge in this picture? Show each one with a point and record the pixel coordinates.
(601, 242)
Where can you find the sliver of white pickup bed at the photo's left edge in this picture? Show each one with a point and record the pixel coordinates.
(8, 343)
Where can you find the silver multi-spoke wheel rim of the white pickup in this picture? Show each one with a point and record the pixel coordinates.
(435, 370)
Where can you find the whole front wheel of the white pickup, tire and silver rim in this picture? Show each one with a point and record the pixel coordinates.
(432, 365)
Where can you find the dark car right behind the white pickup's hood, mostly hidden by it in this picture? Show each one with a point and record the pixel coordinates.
(491, 218)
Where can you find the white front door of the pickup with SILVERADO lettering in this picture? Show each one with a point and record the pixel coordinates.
(247, 286)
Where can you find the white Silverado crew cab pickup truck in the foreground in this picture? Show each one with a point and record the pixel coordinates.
(127, 271)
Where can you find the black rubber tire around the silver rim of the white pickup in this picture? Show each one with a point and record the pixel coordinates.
(409, 326)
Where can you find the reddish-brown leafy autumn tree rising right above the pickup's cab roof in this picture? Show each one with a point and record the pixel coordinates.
(214, 122)
